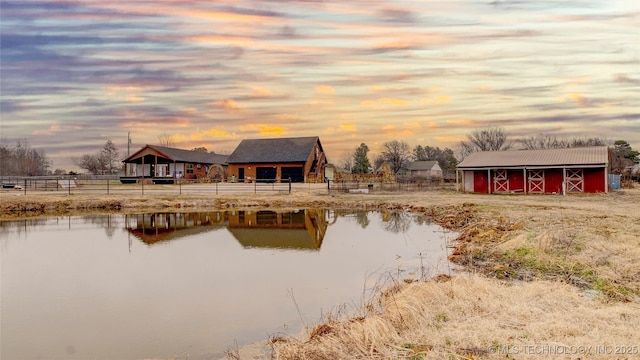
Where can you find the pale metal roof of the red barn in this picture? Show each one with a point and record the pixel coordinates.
(597, 155)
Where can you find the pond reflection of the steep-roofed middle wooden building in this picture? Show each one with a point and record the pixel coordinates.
(301, 230)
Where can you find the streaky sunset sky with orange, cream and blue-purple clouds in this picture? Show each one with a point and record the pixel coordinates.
(74, 74)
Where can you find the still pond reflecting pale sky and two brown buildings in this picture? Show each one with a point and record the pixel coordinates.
(192, 285)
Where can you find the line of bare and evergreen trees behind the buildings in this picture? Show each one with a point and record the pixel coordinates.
(23, 160)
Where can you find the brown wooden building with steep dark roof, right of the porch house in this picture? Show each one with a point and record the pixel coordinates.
(300, 159)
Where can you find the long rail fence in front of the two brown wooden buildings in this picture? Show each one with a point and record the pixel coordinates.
(112, 185)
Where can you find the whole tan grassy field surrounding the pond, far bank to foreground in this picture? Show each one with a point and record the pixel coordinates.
(545, 276)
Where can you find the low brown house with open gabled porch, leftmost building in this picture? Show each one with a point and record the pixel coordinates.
(163, 164)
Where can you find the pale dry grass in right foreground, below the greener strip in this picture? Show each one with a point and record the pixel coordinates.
(470, 317)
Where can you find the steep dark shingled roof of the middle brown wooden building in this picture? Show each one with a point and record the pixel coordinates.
(274, 150)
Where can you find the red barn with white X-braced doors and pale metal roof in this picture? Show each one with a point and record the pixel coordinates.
(548, 171)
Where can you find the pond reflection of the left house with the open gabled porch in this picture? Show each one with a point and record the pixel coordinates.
(156, 227)
